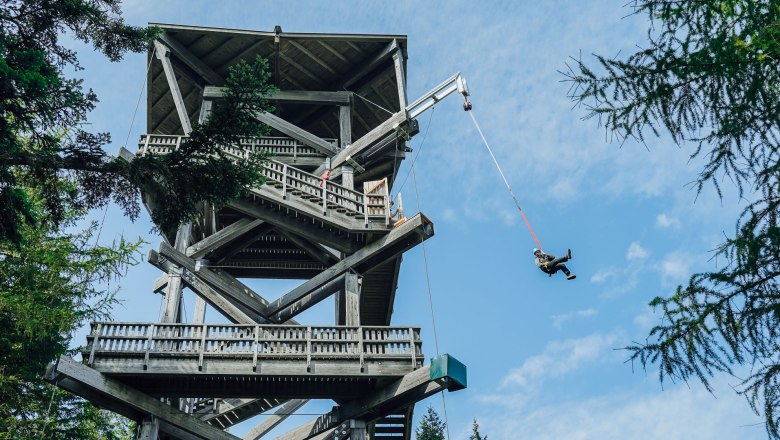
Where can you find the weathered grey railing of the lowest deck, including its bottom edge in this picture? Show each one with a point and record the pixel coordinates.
(271, 350)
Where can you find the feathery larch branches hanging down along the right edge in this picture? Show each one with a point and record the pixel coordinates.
(709, 76)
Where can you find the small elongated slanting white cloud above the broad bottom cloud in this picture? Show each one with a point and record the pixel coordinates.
(559, 358)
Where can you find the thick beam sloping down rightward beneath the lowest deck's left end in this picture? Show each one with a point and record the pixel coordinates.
(94, 386)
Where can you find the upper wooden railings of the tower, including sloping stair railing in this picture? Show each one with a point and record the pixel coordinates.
(328, 195)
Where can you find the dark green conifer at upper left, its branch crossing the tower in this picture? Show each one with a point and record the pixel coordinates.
(41, 142)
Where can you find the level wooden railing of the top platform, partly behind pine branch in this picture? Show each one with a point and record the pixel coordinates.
(277, 146)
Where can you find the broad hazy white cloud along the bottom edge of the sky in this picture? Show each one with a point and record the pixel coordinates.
(678, 413)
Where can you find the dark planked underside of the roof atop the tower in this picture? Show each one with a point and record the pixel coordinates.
(299, 62)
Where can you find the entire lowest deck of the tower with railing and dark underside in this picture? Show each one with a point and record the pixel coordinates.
(279, 361)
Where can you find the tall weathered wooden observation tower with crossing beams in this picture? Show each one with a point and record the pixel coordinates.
(341, 106)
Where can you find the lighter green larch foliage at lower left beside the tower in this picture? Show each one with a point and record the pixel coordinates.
(50, 284)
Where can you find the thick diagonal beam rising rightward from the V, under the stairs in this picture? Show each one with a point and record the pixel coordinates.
(400, 239)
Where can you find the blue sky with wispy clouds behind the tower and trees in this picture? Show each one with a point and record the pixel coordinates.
(540, 351)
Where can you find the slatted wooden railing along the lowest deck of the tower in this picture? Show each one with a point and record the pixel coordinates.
(253, 342)
